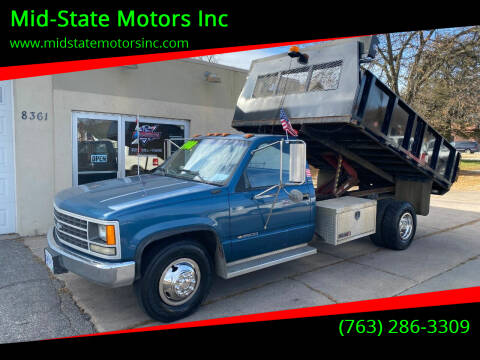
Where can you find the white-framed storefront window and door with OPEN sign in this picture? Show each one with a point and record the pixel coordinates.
(108, 145)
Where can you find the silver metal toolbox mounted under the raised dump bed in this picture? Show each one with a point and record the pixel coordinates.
(345, 219)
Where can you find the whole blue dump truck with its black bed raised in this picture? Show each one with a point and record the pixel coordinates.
(363, 163)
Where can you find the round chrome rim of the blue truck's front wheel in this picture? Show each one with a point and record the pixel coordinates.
(179, 281)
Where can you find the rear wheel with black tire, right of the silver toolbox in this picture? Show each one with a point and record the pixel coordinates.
(399, 225)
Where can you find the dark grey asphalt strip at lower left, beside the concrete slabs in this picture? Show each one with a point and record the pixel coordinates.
(33, 304)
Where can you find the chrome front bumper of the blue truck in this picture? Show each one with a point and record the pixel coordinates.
(101, 272)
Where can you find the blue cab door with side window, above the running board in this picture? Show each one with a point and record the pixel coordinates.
(290, 222)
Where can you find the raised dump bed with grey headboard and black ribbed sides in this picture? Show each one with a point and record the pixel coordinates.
(338, 107)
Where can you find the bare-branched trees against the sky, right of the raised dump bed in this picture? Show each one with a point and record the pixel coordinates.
(437, 73)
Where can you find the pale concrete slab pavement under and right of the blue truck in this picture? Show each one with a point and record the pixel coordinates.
(444, 255)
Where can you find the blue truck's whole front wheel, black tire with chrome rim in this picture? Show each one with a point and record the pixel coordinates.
(156, 295)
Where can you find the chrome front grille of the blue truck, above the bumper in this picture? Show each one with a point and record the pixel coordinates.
(73, 231)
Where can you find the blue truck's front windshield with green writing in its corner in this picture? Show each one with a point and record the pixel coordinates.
(206, 160)
